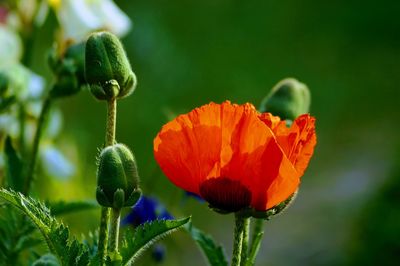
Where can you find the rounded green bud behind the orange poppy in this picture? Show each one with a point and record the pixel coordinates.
(288, 99)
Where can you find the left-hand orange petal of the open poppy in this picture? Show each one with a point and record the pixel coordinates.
(187, 148)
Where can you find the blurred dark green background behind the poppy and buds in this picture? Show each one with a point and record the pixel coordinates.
(188, 53)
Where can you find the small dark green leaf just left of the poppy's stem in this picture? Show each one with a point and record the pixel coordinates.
(213, 252)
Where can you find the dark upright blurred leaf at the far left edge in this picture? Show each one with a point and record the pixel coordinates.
(15, 178)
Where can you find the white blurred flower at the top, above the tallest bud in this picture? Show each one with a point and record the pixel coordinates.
(78, 18)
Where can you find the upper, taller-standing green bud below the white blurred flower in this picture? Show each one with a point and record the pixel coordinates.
(107, 69)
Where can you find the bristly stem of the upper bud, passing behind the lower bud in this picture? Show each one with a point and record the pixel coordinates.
(105, 212)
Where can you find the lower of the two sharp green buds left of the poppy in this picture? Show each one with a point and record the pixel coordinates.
(117, 177)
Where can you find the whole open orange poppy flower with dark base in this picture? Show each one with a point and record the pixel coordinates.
(234, 157)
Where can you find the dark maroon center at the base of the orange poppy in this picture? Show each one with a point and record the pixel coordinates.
(225, 194)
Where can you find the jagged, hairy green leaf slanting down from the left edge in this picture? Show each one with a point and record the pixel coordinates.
(67, 249)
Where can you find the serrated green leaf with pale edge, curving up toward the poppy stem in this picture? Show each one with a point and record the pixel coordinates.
(137, 241)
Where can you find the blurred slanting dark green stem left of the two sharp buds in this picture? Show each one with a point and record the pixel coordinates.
(36, 142)
